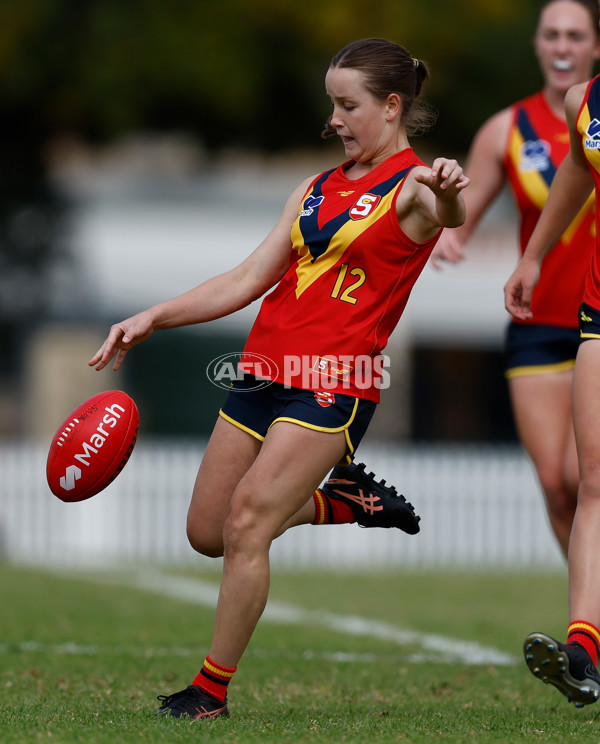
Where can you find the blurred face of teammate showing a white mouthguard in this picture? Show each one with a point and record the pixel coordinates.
(566, 44)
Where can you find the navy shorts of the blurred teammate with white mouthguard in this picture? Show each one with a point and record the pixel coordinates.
(537, 349)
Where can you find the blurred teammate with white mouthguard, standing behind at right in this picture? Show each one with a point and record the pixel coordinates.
(523, 145)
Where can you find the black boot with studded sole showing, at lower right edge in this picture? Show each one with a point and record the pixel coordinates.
(568, 667)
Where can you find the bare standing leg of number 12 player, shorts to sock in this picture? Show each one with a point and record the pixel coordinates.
(291, 464)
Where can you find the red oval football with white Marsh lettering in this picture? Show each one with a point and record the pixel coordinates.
(92, 446)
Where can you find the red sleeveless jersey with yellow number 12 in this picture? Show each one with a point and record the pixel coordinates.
(351, 272)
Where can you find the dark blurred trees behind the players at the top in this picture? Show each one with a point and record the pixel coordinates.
(247, 74)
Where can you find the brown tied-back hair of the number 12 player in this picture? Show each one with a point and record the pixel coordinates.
(389, 68)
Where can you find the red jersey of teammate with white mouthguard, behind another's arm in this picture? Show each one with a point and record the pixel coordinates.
(537, 144)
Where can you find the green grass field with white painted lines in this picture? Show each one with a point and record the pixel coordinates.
(82, 658)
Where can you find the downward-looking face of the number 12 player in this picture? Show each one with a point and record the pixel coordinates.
(360, 119)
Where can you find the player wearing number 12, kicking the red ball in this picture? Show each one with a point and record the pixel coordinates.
(341, 262)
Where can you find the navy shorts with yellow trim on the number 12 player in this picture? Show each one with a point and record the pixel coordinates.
(255, 408)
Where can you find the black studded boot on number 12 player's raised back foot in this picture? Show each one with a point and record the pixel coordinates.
(373, 503)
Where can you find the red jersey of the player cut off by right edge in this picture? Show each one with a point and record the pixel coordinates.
(588, 127)
